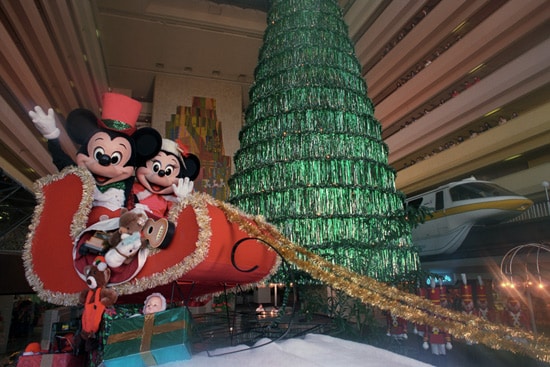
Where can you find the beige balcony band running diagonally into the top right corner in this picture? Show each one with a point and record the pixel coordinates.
(498, 30)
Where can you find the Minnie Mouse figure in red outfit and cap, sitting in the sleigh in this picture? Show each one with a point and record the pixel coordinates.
(165, 179)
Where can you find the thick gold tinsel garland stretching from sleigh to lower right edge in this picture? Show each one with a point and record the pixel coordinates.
(406, 305)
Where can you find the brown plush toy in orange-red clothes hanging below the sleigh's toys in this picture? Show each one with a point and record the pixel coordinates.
(95, 299)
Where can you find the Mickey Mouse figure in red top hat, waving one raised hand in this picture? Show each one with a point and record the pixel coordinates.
(110, 148)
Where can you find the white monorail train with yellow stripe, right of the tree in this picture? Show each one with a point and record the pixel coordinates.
(458, 206)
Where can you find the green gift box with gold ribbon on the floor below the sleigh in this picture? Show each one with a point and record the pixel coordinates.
(148, 340)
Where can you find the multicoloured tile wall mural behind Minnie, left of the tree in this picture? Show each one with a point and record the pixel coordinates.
(198, 127)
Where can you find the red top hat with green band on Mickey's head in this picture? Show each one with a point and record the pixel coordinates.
(120, 113)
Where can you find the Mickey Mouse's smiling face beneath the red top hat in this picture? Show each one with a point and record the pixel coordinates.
(107, 158)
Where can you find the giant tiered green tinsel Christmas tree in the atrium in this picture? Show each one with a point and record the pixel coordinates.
(311, 157)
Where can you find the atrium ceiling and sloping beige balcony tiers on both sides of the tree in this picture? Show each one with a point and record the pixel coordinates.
(435, 70)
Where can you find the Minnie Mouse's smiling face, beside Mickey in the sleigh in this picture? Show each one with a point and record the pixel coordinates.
(159, 174)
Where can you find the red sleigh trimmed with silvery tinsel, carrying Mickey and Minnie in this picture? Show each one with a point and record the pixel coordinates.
(213, 247)
